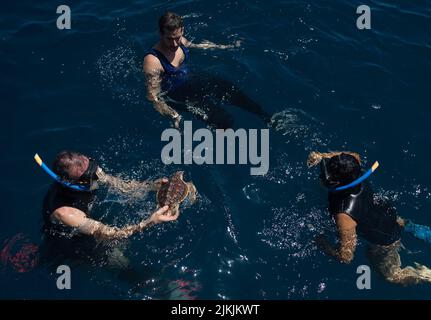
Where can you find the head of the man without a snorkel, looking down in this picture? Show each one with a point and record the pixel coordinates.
(171, 30)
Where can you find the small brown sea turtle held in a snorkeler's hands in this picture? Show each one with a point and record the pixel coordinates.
(175, 191)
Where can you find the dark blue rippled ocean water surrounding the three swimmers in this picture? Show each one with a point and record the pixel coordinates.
(329, 86)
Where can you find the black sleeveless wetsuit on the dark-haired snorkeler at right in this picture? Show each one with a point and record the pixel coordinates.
(376, 221)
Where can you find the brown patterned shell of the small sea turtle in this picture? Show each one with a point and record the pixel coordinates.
(173, 192)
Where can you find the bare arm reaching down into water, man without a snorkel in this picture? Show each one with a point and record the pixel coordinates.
(153, 69)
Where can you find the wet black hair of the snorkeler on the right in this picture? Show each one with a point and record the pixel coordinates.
(343, 168)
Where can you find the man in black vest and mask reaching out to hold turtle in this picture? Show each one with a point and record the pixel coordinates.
(67, 210)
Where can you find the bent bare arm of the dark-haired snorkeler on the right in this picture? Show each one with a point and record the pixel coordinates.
(347, 239)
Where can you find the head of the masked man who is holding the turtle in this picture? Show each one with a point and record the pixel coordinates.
(75, 167)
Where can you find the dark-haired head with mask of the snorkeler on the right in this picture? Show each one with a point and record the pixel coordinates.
(339, 170)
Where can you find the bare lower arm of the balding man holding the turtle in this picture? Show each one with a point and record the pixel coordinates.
(76, 218)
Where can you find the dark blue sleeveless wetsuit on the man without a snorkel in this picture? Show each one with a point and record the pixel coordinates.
(206, 92)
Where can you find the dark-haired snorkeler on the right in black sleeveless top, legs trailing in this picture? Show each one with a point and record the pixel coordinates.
(354, 209)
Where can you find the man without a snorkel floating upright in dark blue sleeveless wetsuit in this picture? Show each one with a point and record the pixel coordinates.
(169, 80)
